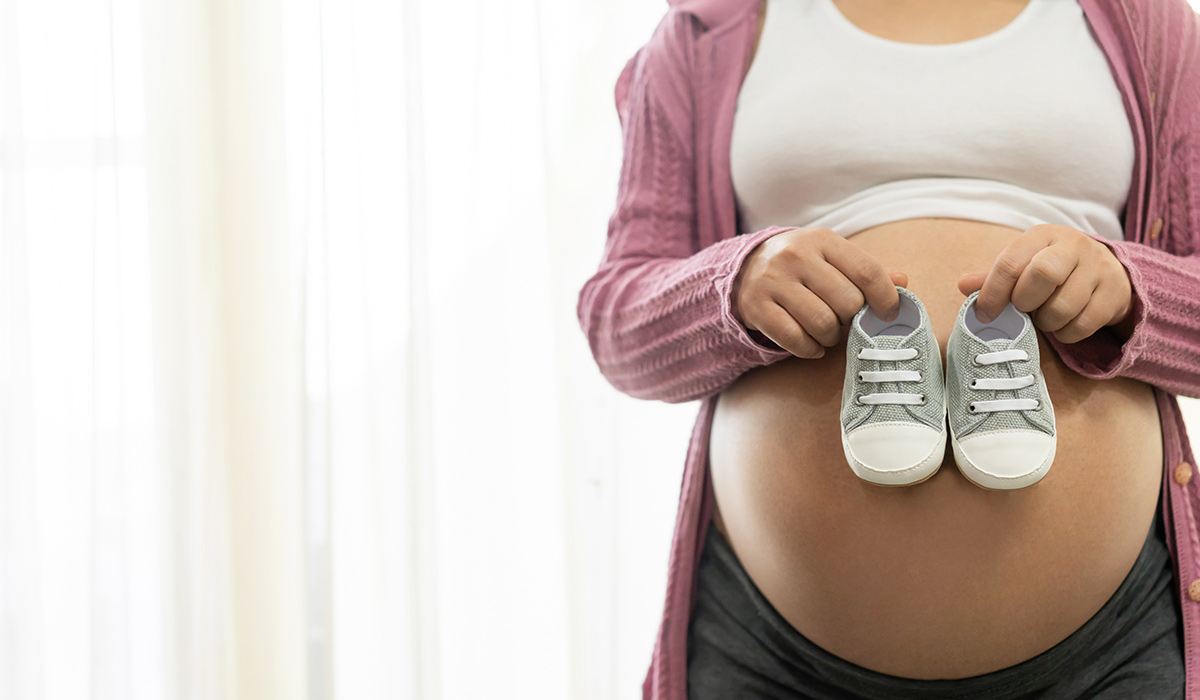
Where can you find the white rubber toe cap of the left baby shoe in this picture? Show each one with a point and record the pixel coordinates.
(895, 454)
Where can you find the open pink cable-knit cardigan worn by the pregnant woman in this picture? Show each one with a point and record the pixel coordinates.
(657, 313)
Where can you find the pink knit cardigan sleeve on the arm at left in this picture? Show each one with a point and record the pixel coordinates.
(657, 313)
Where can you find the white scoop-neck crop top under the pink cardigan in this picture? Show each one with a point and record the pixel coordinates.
(841, 129)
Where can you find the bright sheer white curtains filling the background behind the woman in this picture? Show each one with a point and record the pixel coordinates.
(293, 399)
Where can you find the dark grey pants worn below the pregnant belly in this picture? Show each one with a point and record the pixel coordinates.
(741, 648)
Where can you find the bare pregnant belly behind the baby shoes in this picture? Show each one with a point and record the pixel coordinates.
(944, 579)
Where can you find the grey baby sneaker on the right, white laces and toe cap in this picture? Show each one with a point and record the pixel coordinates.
(1003, 429)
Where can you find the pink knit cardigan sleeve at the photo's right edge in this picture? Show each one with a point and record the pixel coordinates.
(1165, 346)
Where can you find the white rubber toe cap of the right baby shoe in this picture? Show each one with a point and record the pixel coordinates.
(1005, 460)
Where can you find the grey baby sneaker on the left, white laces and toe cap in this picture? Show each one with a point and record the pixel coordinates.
(893, 410)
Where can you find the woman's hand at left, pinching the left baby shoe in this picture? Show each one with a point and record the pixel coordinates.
(801, 288)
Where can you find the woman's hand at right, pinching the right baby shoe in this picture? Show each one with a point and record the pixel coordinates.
(1069, 283)
